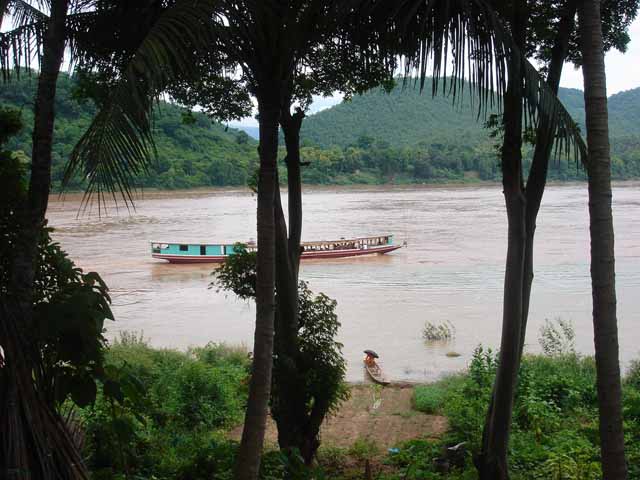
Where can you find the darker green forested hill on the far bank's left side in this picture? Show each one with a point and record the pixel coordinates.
(195, 154)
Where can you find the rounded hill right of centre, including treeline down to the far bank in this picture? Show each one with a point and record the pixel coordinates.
(408, 136)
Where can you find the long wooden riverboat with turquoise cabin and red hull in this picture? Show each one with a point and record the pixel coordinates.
(218, 252)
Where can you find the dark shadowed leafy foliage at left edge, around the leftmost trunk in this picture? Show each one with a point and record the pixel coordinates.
(66, 342)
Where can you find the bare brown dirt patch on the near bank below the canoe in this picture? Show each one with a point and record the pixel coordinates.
(382, 414)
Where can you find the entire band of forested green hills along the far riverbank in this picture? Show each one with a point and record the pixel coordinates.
(402, 137)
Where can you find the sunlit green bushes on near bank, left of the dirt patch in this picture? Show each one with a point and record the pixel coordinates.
(176, 428)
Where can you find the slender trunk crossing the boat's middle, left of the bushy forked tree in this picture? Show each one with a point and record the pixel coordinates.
(247, 464)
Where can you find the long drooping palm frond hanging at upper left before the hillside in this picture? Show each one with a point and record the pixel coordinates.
(119, 143)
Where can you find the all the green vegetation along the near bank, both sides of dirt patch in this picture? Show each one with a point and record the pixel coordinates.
(178, 428)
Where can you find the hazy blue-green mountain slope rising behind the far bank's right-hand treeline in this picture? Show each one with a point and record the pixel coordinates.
(406, 118)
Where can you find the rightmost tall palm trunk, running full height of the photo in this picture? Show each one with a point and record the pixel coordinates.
(602, 242)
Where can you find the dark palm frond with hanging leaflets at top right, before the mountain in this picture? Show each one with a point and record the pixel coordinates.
(460, 41)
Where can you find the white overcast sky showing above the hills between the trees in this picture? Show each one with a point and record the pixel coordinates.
(623, 73)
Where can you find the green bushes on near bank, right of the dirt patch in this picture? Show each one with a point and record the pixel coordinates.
(555, 424)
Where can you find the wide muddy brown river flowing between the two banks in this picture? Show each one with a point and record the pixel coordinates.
(451, 270)
